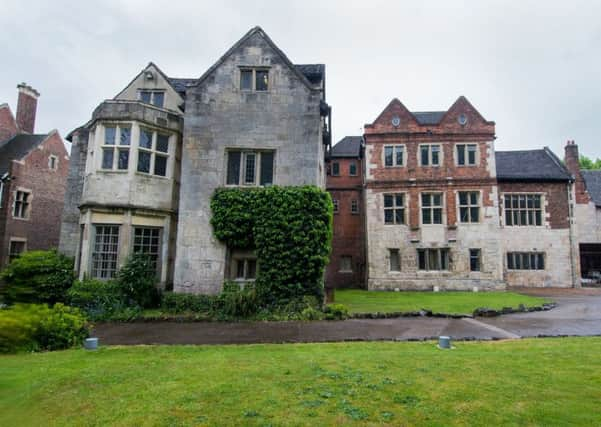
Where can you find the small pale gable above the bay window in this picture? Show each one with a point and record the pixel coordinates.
(159, 81)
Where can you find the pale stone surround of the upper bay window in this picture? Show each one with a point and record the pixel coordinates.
(97, 137)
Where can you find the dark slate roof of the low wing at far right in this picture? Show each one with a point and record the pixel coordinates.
(530, 165)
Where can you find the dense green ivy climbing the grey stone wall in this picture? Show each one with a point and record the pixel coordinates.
(290, 229)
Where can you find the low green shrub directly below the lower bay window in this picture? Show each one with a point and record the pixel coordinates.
(100, 300)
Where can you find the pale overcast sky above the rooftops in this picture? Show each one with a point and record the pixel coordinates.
(532, 67)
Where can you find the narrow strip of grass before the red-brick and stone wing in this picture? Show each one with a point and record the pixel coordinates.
(360, 301)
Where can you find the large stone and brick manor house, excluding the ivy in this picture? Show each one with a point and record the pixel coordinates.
(421, 199)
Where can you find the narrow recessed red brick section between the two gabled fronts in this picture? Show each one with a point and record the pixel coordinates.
(344, 182)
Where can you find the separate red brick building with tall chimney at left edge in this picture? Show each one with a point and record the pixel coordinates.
(33, 174)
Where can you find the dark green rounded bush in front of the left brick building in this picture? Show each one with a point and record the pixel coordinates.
(37, 277)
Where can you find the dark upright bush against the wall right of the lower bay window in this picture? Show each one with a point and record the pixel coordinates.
(137, 279)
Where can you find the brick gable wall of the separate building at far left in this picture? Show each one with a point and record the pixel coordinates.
(41, 229)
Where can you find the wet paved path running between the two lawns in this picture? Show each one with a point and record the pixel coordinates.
(575, 314)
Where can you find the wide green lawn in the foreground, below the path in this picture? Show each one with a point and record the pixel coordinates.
(523, 382)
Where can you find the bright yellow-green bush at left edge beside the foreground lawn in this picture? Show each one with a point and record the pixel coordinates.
(37, 327)
